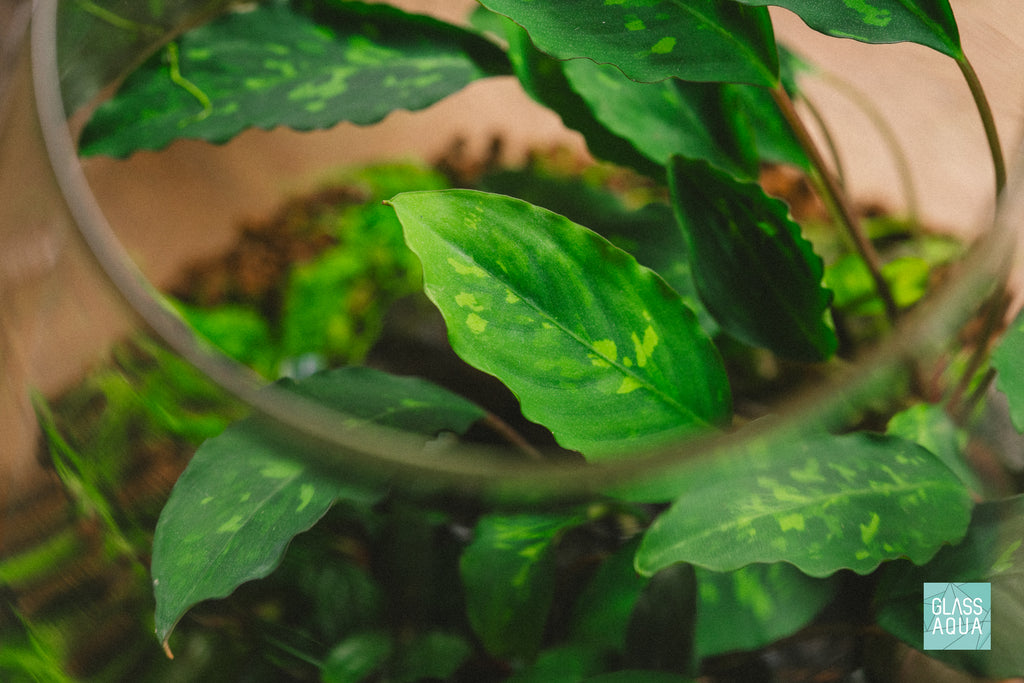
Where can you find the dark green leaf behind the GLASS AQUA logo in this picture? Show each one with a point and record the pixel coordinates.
(992, 552)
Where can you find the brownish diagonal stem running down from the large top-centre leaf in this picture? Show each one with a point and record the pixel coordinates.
(835, 198)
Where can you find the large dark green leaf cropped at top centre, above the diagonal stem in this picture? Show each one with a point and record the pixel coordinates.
(694, 40)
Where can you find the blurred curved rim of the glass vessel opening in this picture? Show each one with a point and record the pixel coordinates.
(386, 454)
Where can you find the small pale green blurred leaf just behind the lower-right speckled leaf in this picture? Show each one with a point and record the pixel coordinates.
(931, 428)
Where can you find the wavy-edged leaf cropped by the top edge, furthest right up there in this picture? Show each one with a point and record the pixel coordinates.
(929, 23)
